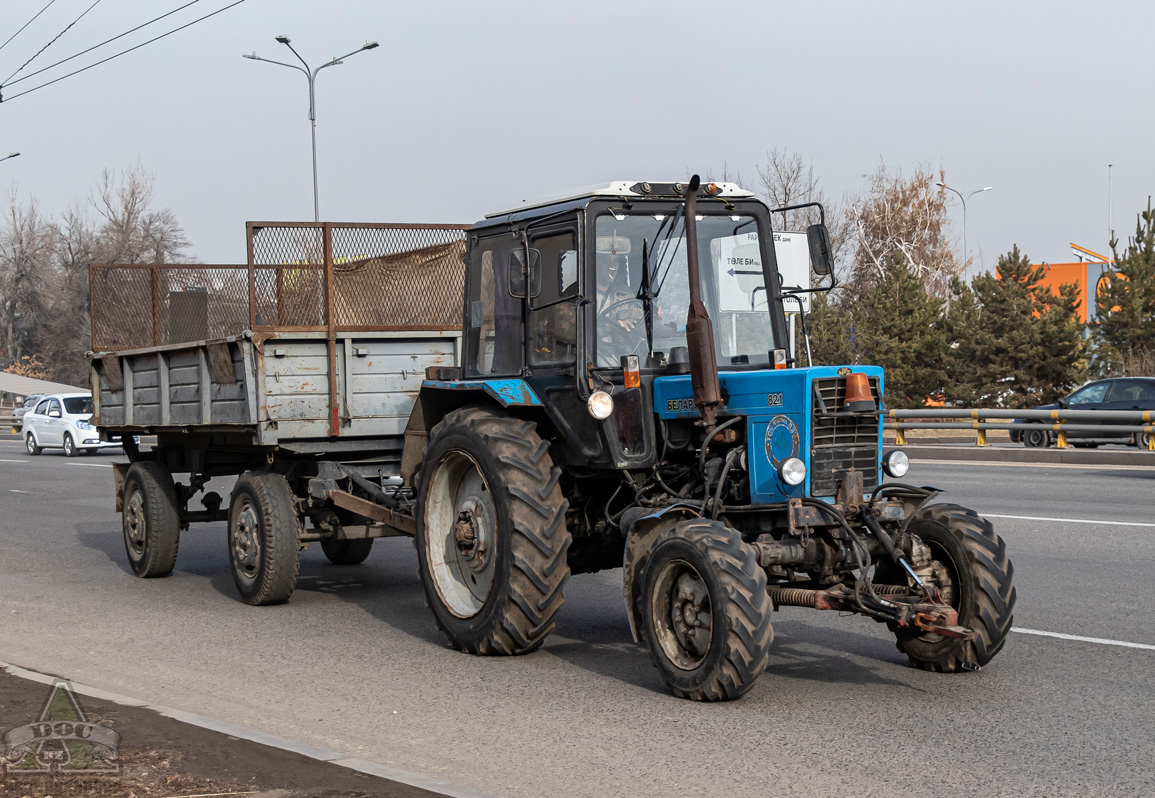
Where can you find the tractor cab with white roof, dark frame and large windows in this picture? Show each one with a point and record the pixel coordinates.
(579, 304)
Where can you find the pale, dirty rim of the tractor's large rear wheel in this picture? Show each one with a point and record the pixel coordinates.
(461, 534)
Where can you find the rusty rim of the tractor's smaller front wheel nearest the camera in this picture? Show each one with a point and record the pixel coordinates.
(683, 616)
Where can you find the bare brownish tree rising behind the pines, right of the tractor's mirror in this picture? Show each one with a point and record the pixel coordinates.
(904, 219)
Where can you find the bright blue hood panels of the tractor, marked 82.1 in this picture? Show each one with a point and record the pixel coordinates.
(779, 406)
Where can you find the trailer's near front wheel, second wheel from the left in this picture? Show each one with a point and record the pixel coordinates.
(264, 539)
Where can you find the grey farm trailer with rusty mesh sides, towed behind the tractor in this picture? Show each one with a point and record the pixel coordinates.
(297, 372)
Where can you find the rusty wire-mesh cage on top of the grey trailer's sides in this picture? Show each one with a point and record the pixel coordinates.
(301, 277)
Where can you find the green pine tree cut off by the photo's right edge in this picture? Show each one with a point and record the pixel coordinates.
(1124, 335)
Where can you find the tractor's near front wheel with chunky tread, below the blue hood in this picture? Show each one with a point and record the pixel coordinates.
(706, 616)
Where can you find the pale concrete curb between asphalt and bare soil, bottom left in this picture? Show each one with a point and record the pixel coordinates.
(259, 737)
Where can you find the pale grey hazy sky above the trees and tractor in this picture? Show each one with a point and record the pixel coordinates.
(470, 107)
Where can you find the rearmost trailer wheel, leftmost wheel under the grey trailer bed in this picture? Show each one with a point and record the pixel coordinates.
(150, 520)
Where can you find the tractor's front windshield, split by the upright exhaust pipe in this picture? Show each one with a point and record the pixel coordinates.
(643, 289)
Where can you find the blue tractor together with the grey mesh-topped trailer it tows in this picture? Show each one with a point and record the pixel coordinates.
(600, 381)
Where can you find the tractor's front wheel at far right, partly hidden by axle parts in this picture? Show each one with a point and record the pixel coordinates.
(972, 570)
